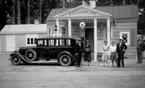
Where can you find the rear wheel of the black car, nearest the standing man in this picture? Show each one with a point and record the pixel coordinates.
(65, 60)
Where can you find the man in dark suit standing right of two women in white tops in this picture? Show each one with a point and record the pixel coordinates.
(121, 48)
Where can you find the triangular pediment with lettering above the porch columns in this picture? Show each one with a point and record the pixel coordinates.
(82, 11)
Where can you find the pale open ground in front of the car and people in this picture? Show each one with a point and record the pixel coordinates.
(52, 75)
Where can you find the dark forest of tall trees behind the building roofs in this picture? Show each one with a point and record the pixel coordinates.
(41, 8)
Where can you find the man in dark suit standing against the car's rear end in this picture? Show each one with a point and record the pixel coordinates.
(78, 53)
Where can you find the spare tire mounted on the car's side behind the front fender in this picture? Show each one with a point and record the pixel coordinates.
(30, 55)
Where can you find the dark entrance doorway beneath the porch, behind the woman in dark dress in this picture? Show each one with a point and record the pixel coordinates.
(89, 34)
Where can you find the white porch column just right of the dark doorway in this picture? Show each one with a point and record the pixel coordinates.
(95, 39)
